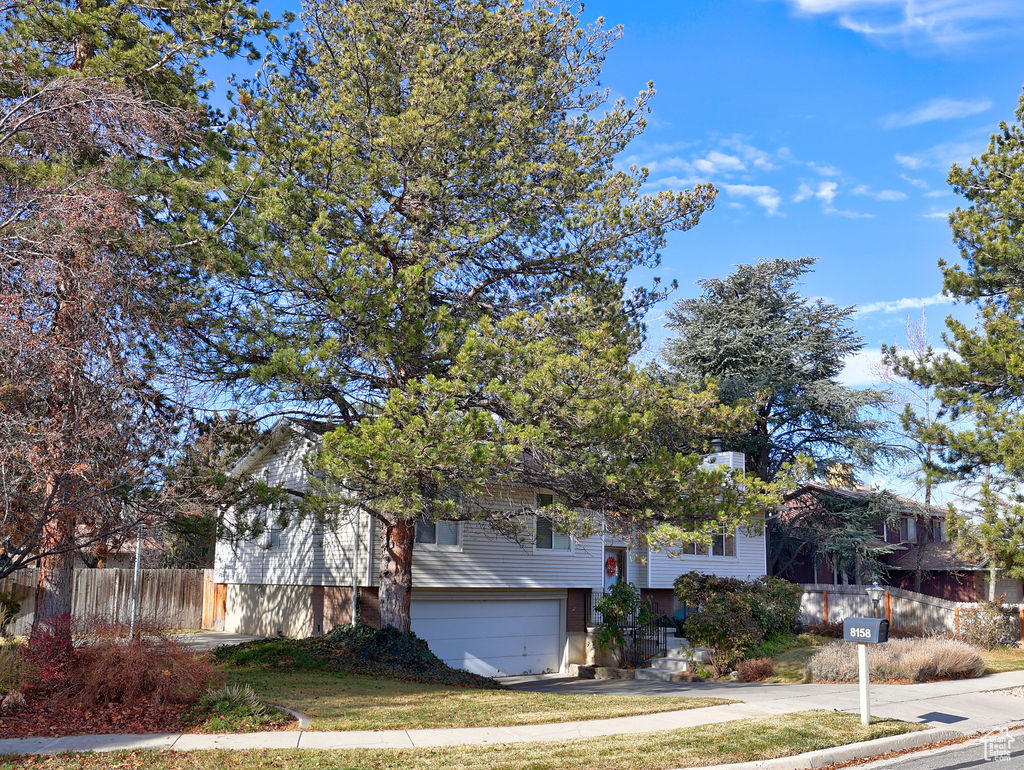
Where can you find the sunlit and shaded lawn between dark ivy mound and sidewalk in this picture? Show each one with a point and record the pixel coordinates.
(340, 702)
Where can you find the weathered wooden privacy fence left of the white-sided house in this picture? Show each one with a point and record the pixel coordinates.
(172, 598)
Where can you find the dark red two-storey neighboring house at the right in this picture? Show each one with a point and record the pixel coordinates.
(920, 557)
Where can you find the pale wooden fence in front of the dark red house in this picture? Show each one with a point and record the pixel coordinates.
(834, 604)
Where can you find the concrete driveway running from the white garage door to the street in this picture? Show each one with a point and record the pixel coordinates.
(967, 705)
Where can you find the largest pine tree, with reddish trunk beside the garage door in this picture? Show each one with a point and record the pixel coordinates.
(441, 242)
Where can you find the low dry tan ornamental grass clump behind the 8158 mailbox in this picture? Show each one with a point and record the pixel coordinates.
(900, 660)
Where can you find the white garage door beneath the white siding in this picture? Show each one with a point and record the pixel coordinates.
(493, 637)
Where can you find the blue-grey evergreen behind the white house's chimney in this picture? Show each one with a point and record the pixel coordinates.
(759, 341)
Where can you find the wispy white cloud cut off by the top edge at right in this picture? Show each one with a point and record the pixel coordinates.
(943, 24)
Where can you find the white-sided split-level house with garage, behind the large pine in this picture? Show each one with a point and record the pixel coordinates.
(484, 603)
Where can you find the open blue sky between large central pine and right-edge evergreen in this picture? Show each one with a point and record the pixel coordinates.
(829, 127)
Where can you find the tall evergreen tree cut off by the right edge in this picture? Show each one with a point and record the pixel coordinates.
(982, 383)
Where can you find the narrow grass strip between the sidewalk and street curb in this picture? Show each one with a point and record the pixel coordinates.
(742, 741)
